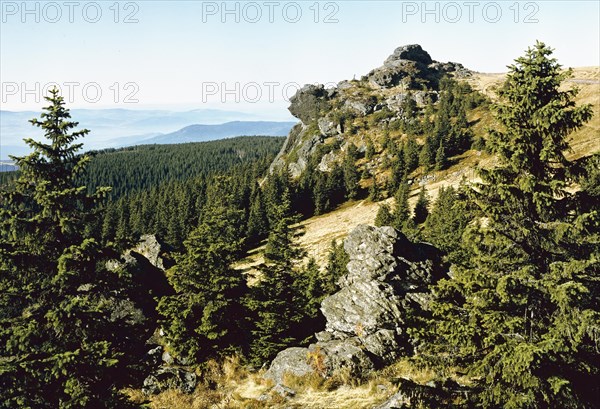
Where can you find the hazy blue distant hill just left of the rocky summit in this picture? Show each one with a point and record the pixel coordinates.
(202, 133)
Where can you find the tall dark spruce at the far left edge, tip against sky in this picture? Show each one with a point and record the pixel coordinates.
(63, 346)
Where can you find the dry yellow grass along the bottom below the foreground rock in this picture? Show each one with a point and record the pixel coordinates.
(236, 388)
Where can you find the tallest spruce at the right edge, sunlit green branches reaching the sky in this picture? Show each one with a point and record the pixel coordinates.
(521, 315)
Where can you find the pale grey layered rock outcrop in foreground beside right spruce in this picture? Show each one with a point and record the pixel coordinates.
(388, 278)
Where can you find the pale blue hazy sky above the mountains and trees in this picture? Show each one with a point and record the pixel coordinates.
(252, 56)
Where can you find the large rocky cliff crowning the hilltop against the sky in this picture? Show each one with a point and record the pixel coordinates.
(340, 113)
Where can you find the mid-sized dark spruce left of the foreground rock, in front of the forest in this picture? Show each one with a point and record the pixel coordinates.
(205, 317)
